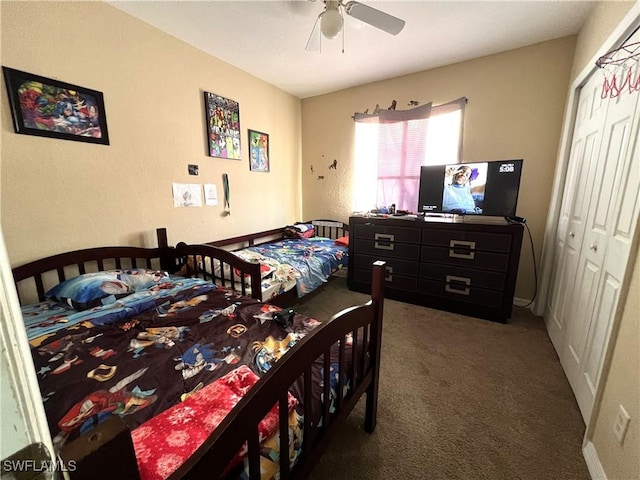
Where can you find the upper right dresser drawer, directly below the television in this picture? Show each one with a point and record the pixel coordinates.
(491, 242)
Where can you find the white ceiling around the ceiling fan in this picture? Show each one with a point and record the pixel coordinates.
(267, 38)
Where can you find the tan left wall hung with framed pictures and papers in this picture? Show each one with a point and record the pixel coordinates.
(59, 195)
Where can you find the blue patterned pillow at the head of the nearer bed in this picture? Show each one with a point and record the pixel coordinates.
(102, 288)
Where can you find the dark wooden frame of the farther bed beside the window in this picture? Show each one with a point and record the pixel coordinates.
(194, 267)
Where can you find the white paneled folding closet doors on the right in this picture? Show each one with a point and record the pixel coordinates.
(601, 214)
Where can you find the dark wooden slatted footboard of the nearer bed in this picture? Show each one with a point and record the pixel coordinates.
(364, 324)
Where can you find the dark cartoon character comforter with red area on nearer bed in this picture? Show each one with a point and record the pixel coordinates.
(147, 367)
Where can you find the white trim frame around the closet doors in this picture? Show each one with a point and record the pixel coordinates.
(624, 29)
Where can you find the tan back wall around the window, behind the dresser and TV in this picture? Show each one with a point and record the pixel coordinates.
(515, 105)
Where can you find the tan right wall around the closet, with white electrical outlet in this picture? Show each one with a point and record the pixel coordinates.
(621, 379)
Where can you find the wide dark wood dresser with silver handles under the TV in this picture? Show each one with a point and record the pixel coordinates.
(468, 267)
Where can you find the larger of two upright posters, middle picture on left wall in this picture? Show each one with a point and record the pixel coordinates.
(223, 126)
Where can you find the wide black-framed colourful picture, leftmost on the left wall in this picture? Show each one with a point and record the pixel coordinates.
(49, 108)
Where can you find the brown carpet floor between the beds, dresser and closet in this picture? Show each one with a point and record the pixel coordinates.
(460, 398)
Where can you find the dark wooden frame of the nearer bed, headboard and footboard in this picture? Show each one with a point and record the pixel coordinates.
(107, 451)
